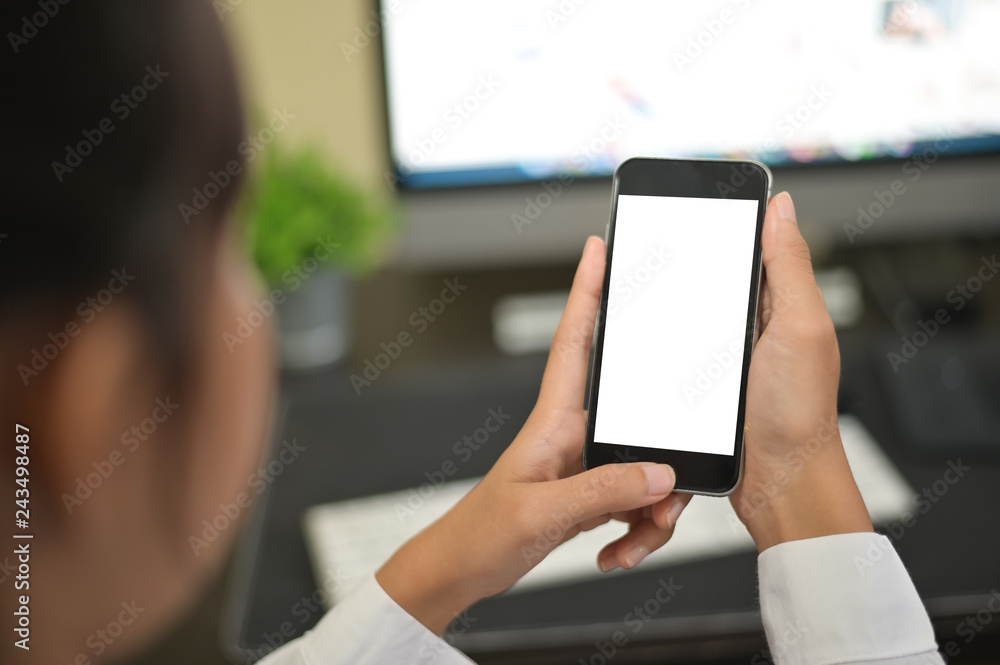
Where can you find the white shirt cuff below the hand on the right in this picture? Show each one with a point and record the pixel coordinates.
(842, 599)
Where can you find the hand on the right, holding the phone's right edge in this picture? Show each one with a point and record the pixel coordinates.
(796, 481)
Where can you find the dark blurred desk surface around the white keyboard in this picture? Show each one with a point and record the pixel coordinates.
(405, 424)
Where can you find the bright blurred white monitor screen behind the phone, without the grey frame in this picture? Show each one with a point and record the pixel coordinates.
(521, 90)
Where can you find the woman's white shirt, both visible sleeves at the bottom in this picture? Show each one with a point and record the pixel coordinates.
(835, 599)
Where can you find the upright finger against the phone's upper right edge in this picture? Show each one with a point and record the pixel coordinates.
(791, 284)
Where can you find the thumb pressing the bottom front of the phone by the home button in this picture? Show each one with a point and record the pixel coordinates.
(609, 489)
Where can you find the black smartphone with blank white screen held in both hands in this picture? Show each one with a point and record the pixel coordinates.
(678, 319)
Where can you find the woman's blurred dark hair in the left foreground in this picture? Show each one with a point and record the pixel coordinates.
(113, 113)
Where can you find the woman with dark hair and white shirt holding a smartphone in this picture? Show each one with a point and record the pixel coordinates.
(114, 309)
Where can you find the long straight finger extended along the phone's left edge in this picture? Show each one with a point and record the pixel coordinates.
(566, 371)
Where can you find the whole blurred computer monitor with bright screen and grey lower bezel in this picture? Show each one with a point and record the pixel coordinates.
(510, 116)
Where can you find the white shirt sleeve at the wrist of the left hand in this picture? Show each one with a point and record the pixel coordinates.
(368, 628)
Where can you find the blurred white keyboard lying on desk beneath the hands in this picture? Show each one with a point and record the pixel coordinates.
(349, 540)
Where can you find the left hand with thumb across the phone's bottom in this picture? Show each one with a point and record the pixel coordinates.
(537, 495)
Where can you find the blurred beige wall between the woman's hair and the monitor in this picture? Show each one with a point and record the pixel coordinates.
(290, 56)
